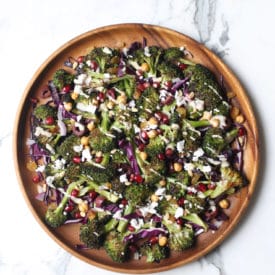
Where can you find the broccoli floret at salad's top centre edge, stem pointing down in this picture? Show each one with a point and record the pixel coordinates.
(150, 55)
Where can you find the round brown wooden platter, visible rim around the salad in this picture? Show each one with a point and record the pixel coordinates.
(116, 36)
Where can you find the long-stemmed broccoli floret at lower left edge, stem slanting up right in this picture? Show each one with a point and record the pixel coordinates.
(55, 217)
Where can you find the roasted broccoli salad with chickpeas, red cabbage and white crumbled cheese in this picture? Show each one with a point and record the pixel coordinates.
(140, 146)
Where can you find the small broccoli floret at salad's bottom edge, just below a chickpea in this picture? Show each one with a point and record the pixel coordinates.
(154, 253)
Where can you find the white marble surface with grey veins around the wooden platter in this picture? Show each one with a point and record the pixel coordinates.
(241, 32)
